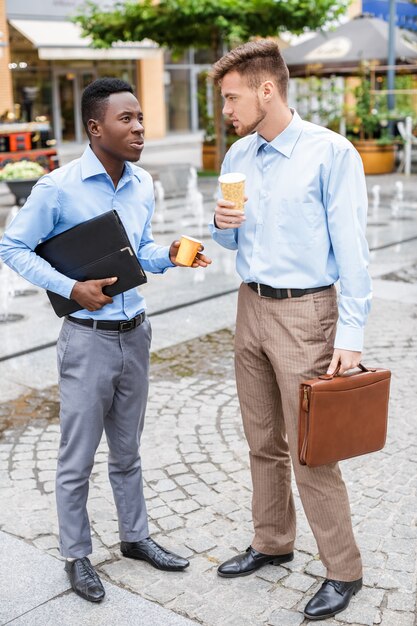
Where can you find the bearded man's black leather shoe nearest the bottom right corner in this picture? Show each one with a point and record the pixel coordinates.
(333, 597)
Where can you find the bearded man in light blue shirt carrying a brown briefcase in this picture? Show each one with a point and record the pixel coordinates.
(302, 230)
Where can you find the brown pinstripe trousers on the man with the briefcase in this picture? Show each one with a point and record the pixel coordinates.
(278, 344)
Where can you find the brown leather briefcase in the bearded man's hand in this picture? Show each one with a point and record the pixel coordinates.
(343, 416)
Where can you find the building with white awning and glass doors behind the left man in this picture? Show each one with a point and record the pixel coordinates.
(45, 64)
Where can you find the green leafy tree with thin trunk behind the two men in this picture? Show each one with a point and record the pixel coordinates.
(214, 24)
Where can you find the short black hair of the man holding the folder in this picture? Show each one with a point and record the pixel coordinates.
(95, 97)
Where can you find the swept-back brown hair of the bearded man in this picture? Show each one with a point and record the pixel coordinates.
(257, 61)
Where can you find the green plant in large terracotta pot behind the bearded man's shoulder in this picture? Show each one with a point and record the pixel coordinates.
(369, 131)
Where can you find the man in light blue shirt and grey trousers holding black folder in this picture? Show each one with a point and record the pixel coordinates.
(103, 349)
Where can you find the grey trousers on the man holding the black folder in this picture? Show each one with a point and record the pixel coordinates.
(103, 379)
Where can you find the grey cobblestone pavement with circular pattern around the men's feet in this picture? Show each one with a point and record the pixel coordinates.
(199, 494)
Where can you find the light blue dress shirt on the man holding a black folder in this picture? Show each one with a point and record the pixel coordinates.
(73, 194)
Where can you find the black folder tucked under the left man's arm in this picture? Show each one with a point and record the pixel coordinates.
(97, 248)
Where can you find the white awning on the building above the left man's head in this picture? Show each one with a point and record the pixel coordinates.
(60, 41)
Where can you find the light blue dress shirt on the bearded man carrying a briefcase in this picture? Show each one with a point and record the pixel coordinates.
(305, 218)
